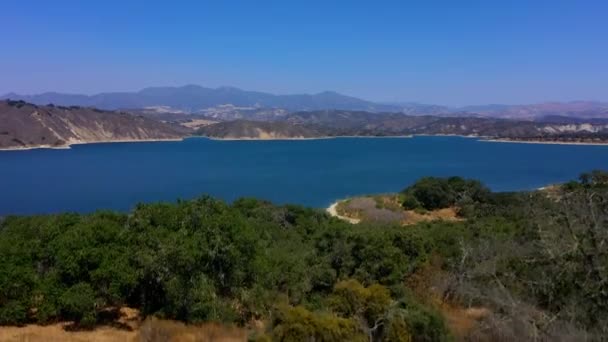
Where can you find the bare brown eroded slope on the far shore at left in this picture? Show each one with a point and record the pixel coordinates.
(24, 125)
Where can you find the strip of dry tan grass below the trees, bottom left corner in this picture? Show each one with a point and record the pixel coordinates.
(129, 328)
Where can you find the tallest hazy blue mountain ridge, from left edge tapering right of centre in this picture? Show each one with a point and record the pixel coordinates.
(192, 98)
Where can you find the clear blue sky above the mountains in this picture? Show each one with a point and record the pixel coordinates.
(455, 52)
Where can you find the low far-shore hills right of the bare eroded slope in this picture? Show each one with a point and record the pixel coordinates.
(360, 123)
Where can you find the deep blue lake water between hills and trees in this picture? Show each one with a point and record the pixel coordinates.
(309, 172)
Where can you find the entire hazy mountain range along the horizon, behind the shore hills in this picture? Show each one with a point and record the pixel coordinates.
(213, 102)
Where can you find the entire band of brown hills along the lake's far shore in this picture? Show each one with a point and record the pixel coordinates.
(25, 125)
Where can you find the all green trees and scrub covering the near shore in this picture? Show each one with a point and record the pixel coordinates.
(533, 263)
